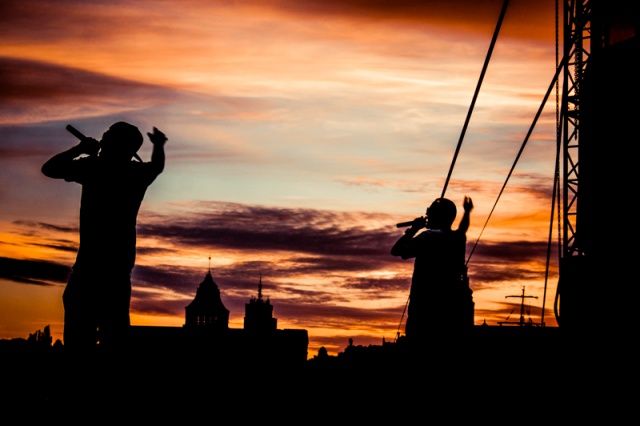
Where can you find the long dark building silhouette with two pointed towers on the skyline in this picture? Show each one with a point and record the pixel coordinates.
(206, 333)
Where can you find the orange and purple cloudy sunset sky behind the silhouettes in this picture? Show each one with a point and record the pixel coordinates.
(300, 133)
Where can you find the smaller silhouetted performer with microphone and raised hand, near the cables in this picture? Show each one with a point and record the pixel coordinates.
(440, 304)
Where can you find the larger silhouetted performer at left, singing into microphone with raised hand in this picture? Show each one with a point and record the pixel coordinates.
(98, 294)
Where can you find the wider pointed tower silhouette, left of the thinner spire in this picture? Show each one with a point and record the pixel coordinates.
(207, 309)
